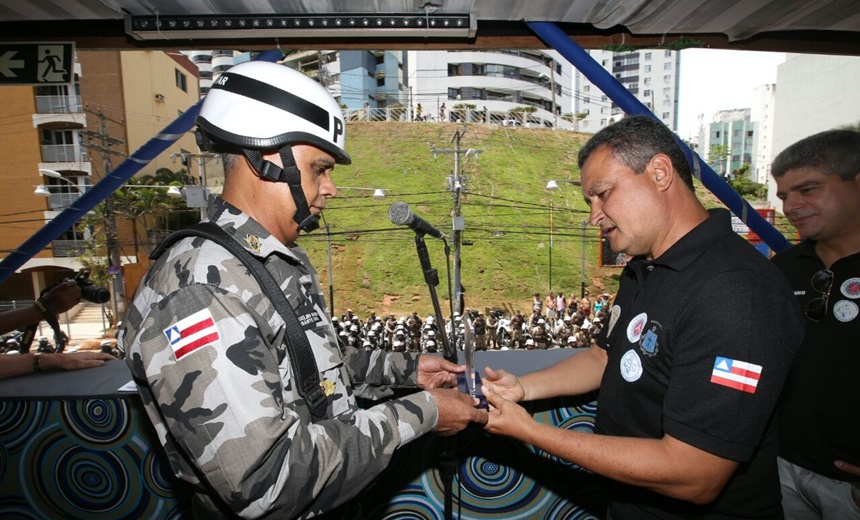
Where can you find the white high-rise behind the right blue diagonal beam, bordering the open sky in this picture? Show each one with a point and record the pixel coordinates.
(652, 75)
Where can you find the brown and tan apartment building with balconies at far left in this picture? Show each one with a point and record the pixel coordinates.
(117, 101)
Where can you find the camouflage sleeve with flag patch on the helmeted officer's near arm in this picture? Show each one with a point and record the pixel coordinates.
(226, 404)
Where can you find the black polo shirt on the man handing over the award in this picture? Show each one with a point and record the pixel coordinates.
(700, 341)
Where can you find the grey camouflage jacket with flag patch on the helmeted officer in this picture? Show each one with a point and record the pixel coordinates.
(206, 349)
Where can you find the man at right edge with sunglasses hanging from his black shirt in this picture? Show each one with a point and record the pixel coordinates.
(818, 180)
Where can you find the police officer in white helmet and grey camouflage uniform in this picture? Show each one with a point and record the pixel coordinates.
(207, 347)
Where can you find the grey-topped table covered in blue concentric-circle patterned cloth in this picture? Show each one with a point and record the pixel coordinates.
(73, 445)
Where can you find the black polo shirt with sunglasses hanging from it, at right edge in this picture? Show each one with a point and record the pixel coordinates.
(819, 419)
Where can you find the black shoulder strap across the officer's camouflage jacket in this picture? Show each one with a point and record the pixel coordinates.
(301, 356)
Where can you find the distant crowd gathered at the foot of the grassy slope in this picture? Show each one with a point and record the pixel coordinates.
(554, 322)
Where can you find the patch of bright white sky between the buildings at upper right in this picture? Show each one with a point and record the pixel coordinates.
(713, 80)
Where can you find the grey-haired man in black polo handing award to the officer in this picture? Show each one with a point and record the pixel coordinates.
(694, 355)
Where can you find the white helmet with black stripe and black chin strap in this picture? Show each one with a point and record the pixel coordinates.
(259, 106)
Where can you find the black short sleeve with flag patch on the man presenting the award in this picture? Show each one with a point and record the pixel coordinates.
(732, 346)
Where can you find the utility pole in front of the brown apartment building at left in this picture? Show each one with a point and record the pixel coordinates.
(111, 234)
